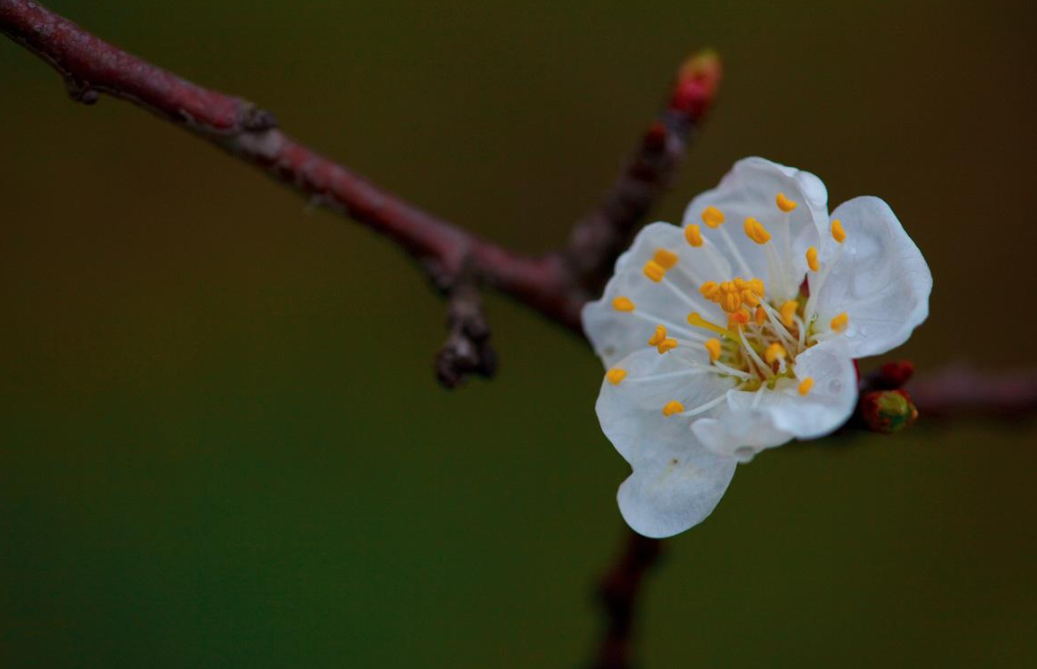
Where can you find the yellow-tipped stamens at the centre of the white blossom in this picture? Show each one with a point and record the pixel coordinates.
(762, 341)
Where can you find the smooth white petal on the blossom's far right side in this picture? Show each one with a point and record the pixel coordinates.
(879, 278)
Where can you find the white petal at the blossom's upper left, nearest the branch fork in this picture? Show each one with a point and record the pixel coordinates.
(616, 334)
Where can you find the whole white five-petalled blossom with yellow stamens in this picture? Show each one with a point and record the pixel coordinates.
(714, 350)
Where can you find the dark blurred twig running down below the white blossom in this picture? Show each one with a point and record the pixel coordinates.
(620, 593)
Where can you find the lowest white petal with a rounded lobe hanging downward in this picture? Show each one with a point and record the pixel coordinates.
(677, 483)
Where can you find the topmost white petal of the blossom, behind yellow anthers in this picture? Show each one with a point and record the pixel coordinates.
(749, 191)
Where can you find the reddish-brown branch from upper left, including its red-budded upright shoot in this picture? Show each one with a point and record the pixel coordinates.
(556, 285)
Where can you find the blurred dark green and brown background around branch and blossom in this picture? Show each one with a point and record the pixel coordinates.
(221, 444)
